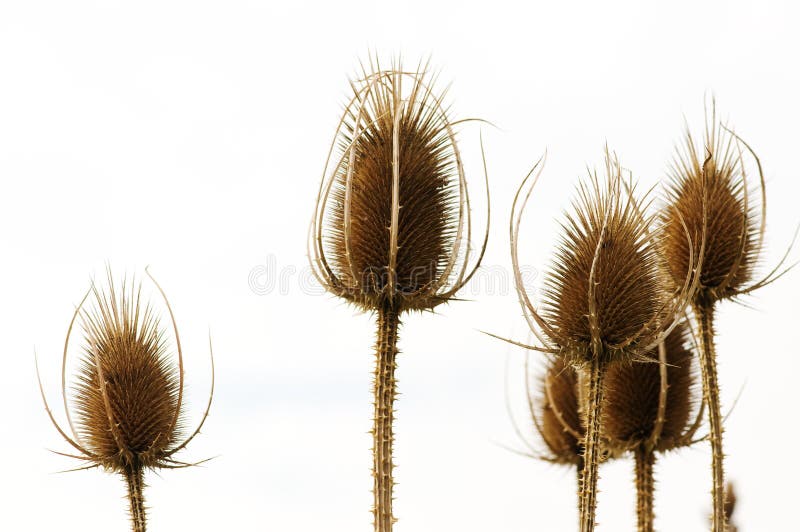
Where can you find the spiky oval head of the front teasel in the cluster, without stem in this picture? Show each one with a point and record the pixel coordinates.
(603, 295)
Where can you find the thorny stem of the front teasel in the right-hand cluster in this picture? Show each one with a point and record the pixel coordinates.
(591, 456)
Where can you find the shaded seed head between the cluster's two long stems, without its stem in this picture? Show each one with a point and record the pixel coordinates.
(631, 399)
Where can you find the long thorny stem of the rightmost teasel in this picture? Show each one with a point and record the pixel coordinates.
(708, 363)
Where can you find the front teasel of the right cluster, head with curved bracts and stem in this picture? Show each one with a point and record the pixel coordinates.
(603, 300)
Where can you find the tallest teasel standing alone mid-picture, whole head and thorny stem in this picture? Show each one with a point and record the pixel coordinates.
(392, 226)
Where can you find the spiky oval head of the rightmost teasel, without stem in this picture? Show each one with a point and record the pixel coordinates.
(707, 196)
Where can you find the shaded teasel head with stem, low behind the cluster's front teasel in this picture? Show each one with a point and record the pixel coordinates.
(647, 409)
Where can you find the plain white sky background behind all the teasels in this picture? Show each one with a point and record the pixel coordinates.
(190, 136)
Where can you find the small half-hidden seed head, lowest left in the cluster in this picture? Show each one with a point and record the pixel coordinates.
(560, 420)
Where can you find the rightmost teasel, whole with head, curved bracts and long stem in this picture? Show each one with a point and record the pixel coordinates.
(707, 194)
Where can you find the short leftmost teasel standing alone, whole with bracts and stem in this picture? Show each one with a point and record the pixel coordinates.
(127, 413)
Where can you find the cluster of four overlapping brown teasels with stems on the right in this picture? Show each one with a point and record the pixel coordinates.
(613, 312)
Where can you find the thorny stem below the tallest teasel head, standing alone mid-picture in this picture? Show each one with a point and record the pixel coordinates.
(382, 432)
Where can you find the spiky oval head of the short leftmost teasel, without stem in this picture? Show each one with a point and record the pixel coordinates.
(127, 390)
